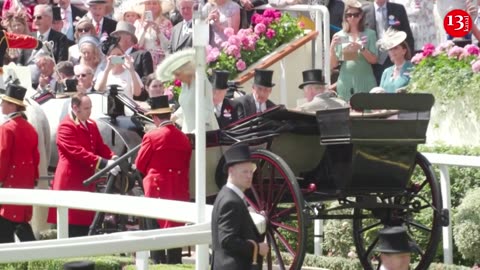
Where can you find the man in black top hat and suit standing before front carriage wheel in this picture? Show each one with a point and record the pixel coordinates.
(234, 235)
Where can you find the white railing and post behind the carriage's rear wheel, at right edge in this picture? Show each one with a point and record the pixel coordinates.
(443, 161)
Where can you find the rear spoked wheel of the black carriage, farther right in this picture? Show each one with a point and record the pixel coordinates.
(422, 222)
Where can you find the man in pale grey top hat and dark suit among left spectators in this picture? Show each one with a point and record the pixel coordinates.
(142, 60)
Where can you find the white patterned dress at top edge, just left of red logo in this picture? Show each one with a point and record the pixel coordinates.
(422, 22)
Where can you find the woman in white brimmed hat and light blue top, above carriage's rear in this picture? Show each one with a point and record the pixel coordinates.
(398, 75)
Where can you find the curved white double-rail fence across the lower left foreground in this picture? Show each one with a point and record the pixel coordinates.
(132, 241)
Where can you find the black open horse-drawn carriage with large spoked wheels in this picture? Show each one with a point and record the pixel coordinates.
(366, 161)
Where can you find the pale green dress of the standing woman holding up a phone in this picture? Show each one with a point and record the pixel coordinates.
(356, 76)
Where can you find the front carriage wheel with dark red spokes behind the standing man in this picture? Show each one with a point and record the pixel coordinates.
(275, 193)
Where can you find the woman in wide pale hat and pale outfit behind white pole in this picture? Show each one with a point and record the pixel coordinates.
(181, 66)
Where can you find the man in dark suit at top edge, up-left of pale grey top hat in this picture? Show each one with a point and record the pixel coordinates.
(96, 12)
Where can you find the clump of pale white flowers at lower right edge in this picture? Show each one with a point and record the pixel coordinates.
(466, 229)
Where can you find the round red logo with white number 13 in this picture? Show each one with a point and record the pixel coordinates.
(457, 23)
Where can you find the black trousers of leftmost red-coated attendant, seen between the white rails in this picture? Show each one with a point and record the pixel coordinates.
(9, 228)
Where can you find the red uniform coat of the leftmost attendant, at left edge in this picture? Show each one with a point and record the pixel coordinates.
(19, 159)
